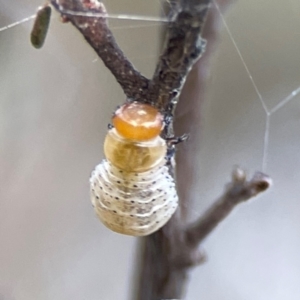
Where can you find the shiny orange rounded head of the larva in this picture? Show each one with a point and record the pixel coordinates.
(138, 121)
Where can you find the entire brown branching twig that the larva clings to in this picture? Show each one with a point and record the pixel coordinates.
(169, 254)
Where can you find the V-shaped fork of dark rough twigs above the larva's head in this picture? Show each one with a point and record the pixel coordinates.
(180, 52)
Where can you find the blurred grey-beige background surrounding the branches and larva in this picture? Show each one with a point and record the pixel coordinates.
(55, 104)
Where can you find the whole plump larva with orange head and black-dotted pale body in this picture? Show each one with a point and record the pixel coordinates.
(131, 190)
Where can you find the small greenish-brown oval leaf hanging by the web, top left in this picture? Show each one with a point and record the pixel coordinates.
(40, 26)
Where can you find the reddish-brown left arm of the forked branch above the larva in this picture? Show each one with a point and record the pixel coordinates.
(89, 17)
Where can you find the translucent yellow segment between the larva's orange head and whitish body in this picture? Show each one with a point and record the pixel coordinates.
(133, 156)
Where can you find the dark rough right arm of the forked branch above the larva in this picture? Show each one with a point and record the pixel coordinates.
(182, 49)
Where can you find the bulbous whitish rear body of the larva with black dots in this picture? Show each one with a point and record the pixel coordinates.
(133, 203)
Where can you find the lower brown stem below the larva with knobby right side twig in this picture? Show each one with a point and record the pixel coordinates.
(170, 253)
